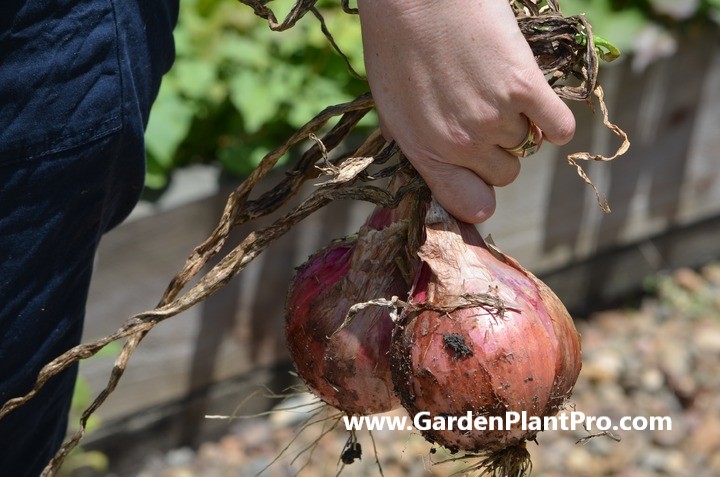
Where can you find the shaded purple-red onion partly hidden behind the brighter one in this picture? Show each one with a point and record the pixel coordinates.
(348, 369)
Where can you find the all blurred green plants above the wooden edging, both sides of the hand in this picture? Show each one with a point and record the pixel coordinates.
(238, 89)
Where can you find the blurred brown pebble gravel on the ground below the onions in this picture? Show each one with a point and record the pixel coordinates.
(659, 358)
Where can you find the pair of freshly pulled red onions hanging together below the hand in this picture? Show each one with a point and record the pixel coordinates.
(480, 333)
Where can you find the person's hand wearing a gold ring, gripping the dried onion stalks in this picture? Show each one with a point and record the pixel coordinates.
(454, 83)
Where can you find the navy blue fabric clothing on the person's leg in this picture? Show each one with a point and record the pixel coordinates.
(77, 79)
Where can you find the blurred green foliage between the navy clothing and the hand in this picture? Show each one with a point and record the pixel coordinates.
(238, 89)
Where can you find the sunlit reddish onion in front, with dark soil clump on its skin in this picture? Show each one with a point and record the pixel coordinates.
(486, 336)
